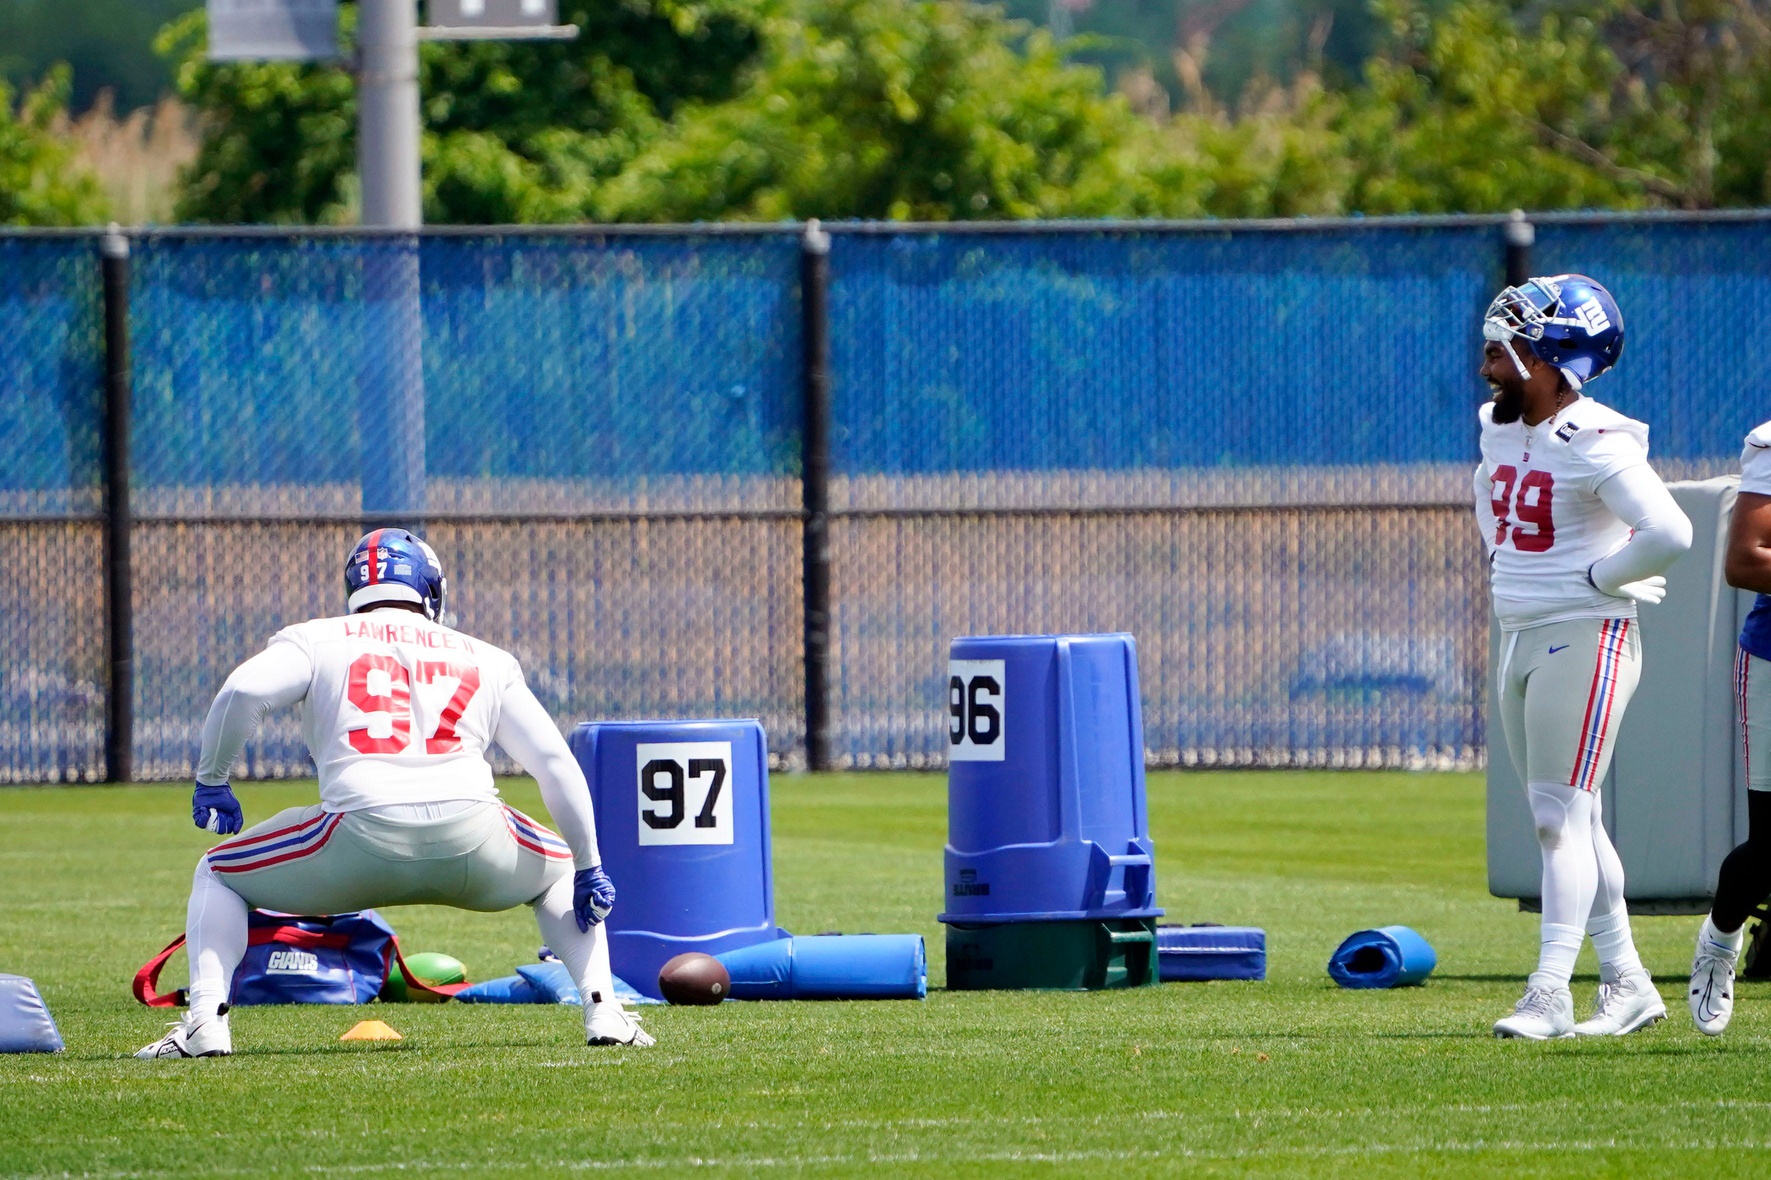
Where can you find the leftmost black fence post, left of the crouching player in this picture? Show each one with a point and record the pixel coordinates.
(120, 630)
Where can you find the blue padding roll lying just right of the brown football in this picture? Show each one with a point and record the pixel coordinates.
(831, 967)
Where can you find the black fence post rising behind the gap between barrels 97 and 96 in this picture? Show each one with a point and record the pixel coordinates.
(816, 483)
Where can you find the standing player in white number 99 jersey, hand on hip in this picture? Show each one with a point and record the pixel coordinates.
(1579, 531)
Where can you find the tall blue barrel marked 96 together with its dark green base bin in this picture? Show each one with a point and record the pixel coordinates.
(1046, 816)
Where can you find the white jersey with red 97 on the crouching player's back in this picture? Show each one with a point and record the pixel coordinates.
(399, 710)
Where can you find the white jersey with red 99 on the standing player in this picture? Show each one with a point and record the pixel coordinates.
(1551, 525)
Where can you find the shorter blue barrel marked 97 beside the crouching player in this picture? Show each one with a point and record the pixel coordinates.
(683, 823)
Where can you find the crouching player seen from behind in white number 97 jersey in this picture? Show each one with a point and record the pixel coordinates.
(399, 713)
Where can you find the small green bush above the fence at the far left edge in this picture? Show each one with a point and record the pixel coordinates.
(40, 182)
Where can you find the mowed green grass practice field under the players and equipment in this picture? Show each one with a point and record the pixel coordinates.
(1281, 1078)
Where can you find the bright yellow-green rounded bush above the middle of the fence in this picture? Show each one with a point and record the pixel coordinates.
(874, 109)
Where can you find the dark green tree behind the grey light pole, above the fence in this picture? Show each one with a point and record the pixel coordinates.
(514, 132)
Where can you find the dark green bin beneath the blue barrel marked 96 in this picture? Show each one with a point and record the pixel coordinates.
(1055, 956)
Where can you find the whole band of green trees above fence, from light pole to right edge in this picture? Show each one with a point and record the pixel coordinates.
(945, 109)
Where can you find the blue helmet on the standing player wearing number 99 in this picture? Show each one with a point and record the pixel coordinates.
(1568, 322)
